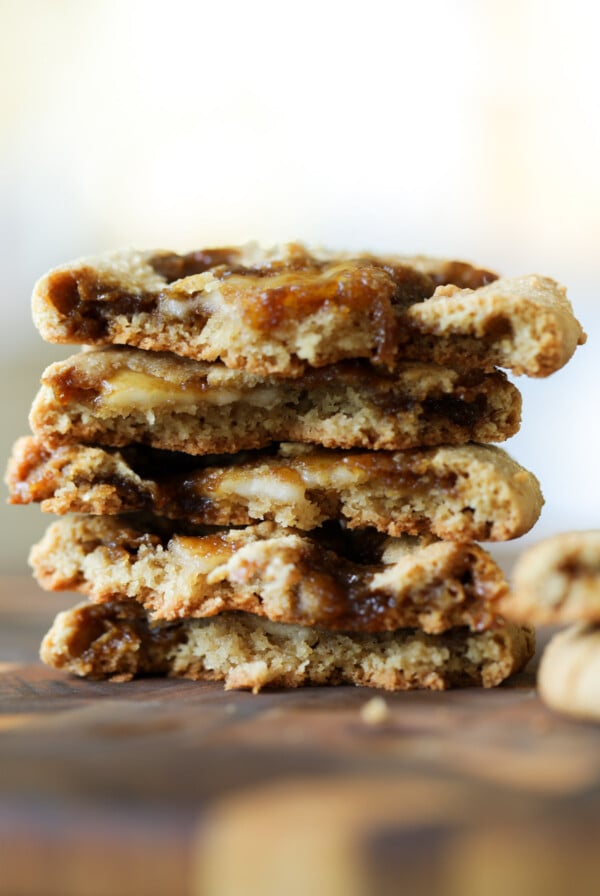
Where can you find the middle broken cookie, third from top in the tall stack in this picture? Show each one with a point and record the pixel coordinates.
(464, 493)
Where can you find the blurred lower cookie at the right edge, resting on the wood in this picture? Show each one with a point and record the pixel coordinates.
(569, 673)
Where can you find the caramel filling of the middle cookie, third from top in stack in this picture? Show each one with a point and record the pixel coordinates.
(178, 486)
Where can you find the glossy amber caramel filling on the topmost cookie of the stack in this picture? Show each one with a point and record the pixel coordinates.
(265, 296)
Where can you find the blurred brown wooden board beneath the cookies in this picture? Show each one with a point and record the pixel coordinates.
(173, 787)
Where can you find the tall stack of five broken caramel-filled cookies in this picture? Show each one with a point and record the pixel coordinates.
(272, 467)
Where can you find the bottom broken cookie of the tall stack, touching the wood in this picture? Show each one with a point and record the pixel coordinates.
(117, 640)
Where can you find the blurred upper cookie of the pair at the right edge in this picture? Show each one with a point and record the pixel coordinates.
(557, 580)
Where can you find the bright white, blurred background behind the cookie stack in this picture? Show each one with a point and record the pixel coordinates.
(468, 129)
